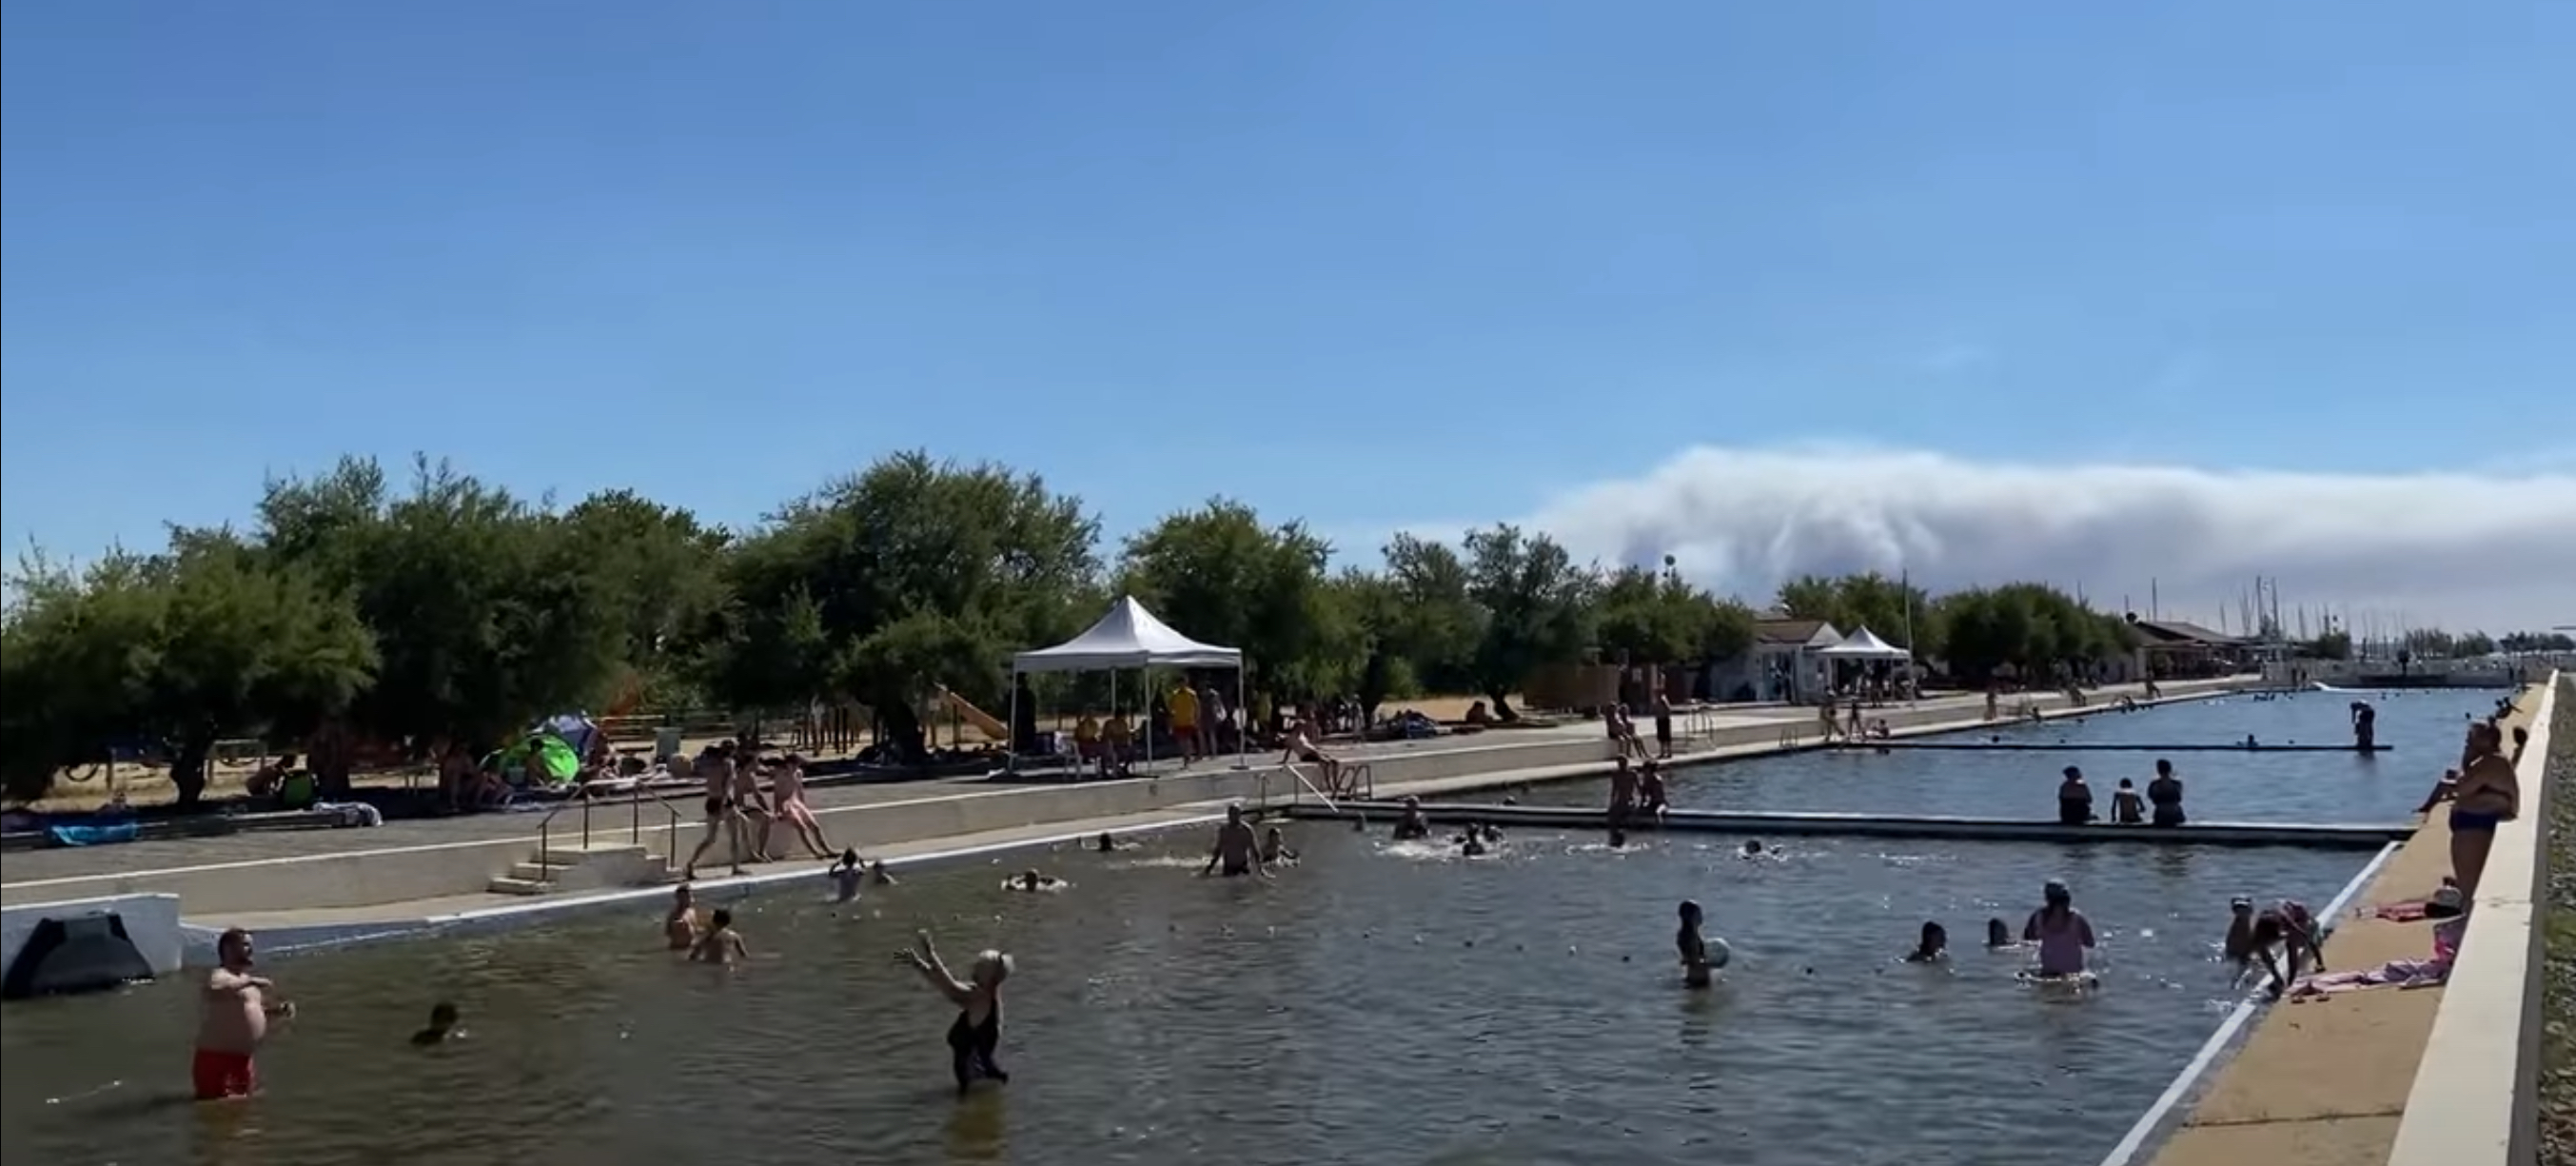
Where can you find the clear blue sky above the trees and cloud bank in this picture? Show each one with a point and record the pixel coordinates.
(1356, 261)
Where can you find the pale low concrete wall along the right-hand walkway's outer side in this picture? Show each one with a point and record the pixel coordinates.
(2477, 1093)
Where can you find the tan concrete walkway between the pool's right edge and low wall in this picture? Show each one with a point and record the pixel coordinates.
(2325, 1082)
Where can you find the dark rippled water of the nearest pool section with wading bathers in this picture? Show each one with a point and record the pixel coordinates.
(1374, 1005)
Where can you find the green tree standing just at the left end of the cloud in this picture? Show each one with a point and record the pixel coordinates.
(1537, 609)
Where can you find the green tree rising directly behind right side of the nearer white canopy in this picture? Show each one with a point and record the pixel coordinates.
(1222, 575)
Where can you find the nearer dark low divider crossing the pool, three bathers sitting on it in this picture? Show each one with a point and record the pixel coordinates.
(1889, 828)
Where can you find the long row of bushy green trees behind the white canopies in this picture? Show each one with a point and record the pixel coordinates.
(460, 611)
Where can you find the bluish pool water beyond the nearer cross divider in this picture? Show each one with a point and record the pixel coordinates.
(2219, 786)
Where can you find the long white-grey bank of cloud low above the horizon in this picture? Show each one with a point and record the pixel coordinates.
(2474, 550)
